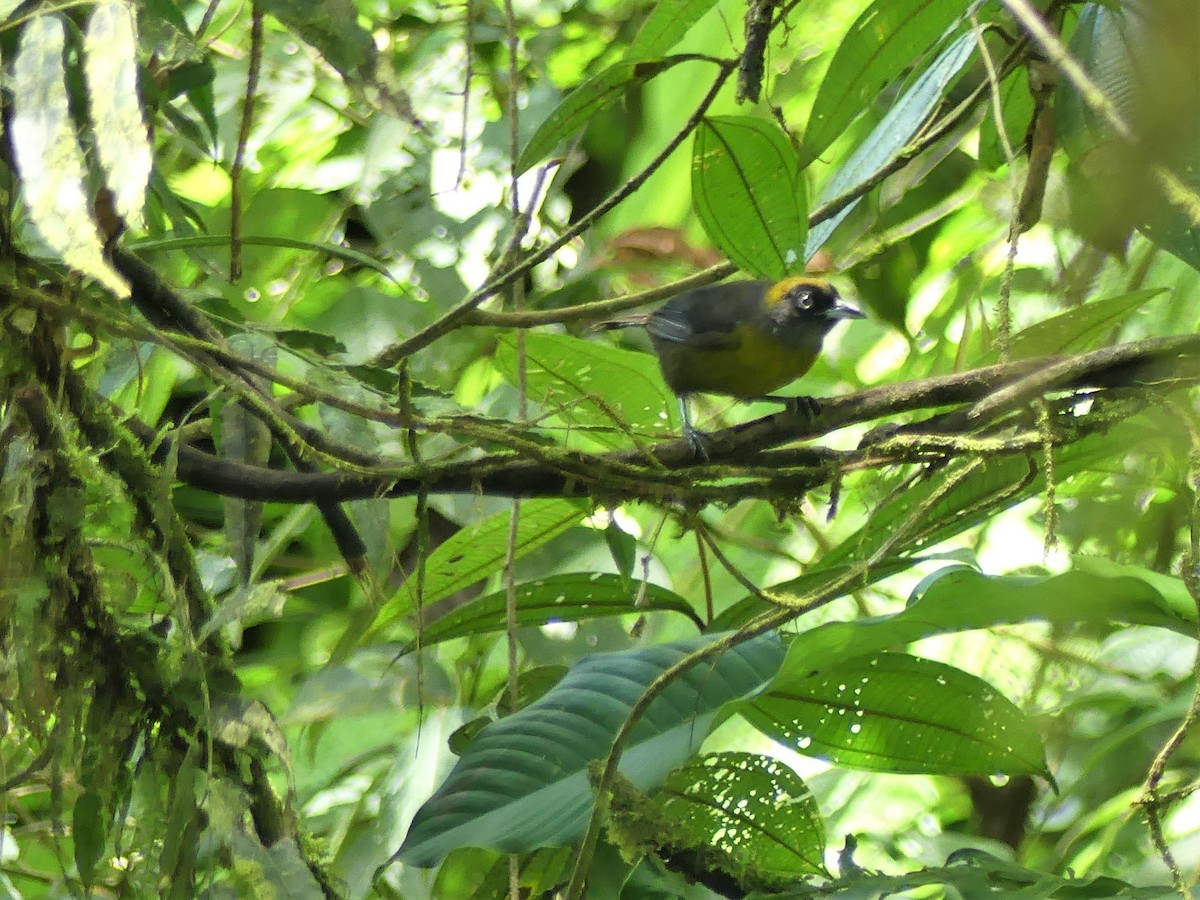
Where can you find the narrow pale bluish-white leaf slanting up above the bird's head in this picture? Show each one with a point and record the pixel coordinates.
(907, 117)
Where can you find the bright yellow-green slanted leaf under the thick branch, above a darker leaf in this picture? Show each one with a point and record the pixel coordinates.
(479, 550)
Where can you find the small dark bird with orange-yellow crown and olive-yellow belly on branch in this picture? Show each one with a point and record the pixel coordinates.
(745, 339)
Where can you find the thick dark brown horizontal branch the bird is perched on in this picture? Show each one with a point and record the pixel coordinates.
(745, 461)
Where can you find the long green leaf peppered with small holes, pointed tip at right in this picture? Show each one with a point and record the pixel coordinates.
(899, 713)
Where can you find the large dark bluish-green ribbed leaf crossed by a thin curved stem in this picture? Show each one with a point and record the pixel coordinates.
(523, 783)
